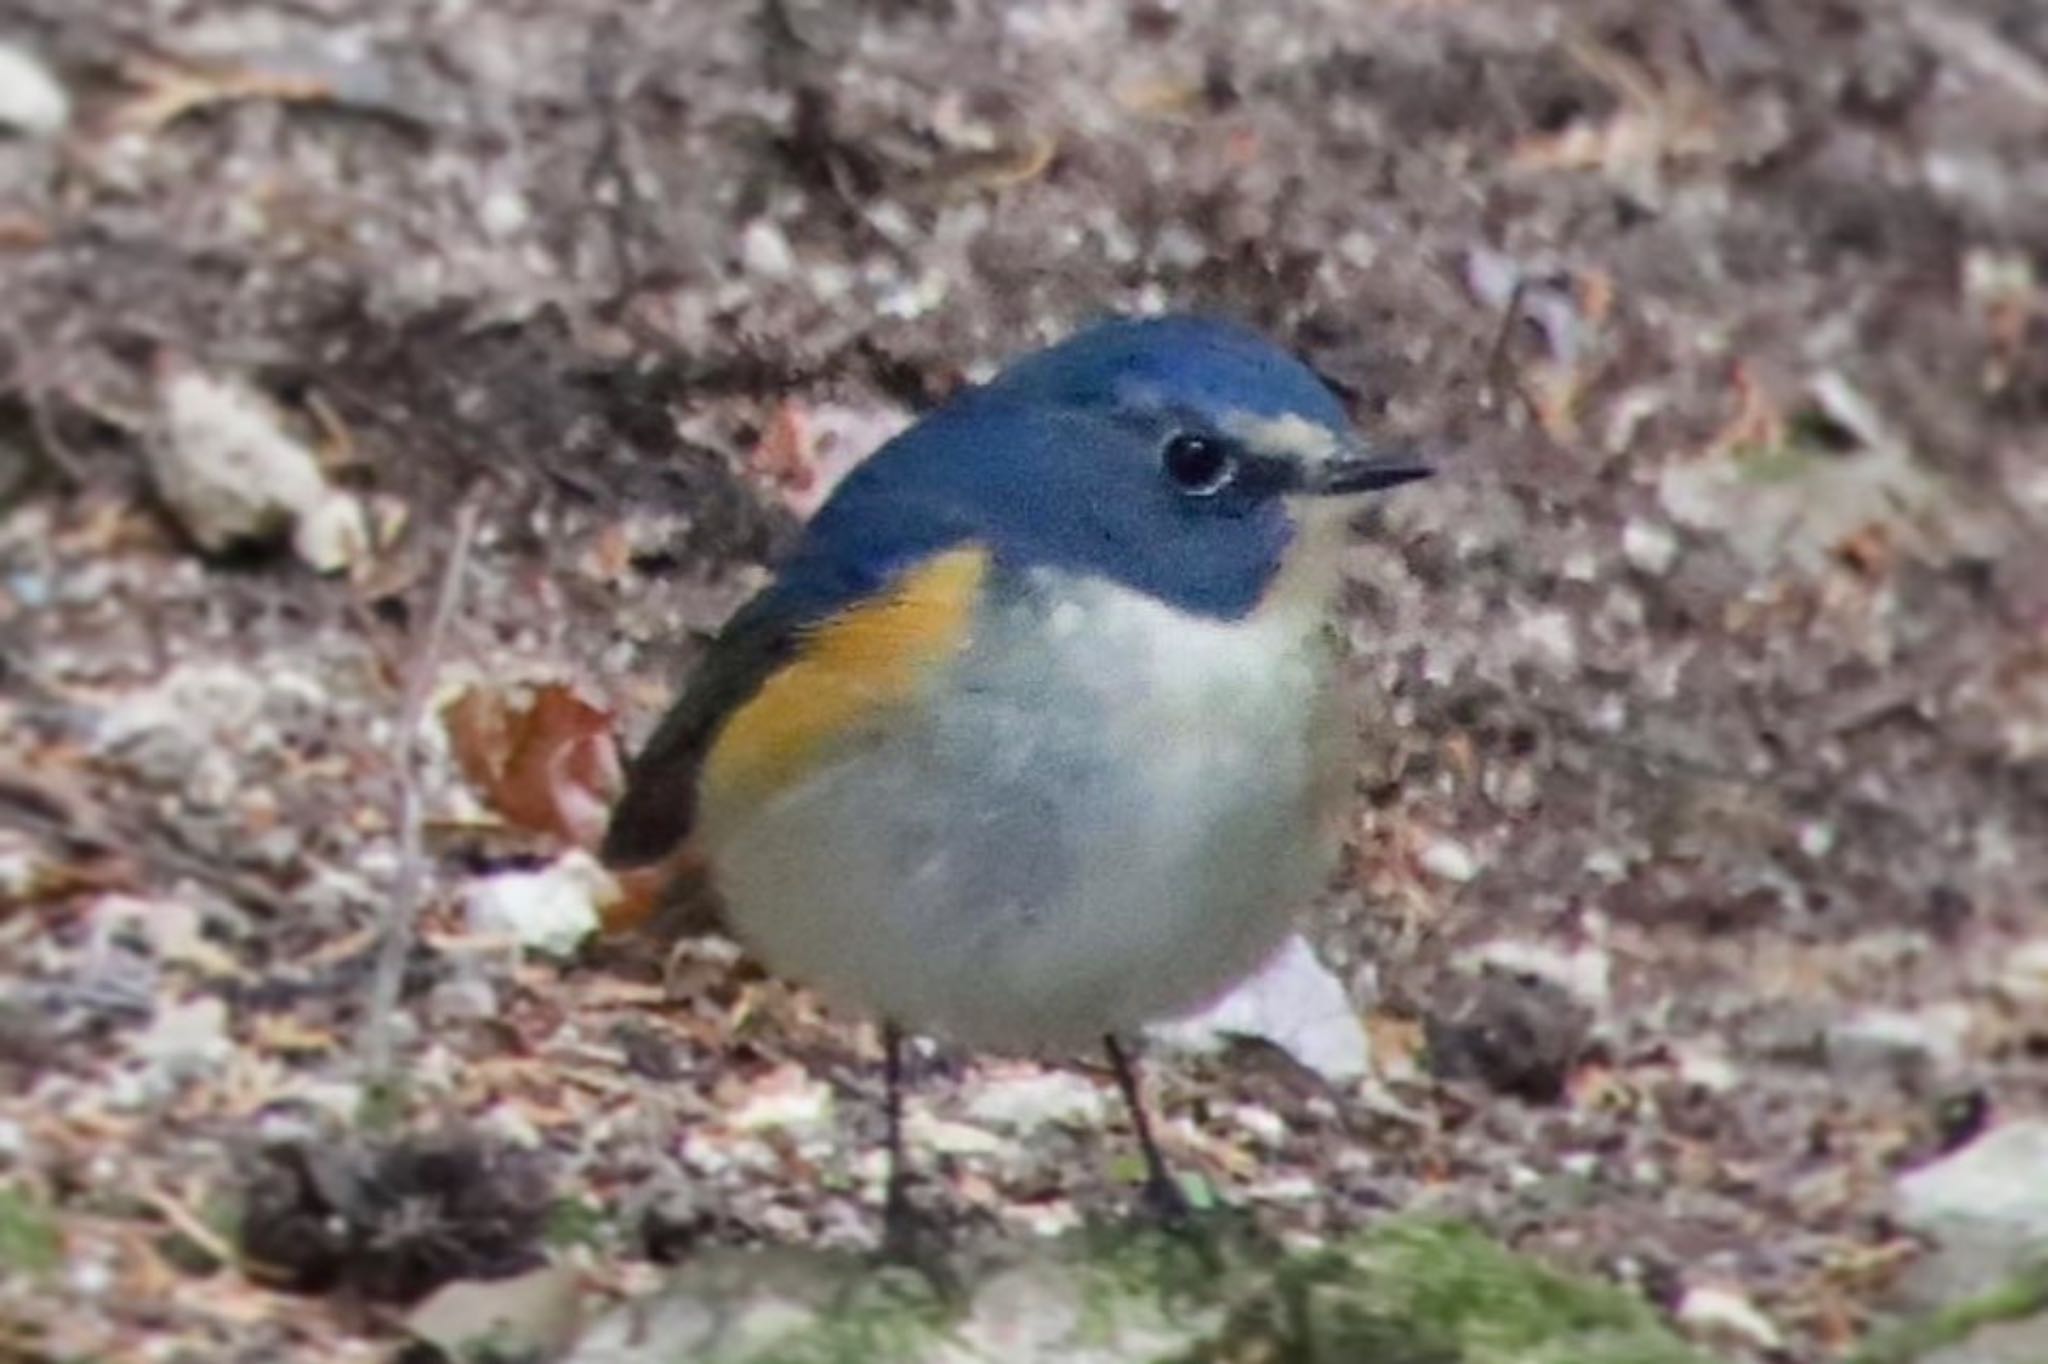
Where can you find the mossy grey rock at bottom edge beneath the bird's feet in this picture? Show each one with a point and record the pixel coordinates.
(1406, 1291)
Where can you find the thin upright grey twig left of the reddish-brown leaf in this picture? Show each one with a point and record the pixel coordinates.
(411, 886)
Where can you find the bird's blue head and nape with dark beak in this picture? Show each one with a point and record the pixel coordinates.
(1175, 456)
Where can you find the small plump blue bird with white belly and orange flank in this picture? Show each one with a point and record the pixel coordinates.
(1037, 734)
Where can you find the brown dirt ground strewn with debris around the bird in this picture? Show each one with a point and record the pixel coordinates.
(1707, 685)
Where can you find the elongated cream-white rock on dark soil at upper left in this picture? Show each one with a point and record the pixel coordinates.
(234, 476)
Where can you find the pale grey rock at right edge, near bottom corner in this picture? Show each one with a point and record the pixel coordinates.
(1986, 1207)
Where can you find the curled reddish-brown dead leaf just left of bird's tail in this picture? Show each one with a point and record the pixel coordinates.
(548, 763)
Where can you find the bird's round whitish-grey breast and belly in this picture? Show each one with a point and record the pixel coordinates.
(1103, 818)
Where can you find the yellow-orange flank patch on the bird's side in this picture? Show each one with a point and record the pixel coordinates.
(847, 671)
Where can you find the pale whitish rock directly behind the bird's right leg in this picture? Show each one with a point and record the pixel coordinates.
(1297, 1007)
